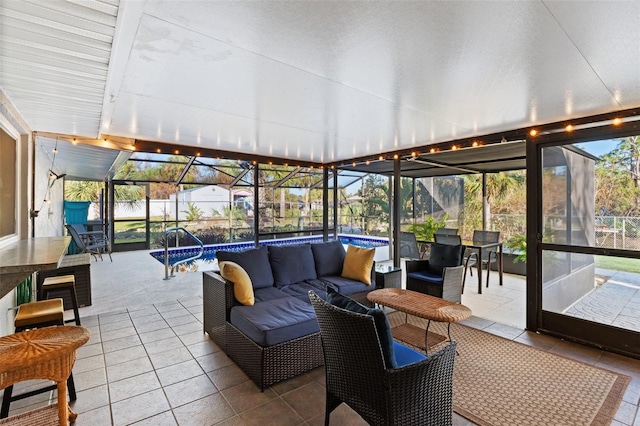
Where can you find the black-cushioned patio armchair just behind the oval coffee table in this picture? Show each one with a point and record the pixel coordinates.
(440, 276)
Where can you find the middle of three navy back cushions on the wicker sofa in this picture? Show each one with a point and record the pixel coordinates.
(292, 264)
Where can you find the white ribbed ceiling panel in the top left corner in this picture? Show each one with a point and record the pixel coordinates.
(55, 59)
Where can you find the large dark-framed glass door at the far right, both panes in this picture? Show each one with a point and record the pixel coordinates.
(589, 262)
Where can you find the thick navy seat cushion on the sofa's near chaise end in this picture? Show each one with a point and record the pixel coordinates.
(275, 321)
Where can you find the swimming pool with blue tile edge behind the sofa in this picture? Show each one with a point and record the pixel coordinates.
(208, 260)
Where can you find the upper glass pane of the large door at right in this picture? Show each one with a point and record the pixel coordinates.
(591, 194)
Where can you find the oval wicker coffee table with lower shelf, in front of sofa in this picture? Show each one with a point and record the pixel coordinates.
(422, 306)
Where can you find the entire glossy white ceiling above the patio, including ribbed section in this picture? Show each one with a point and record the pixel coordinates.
(320, 81)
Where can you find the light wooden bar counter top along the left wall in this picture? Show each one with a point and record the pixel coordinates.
(20, 259)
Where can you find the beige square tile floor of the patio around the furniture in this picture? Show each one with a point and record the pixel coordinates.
(149, 362)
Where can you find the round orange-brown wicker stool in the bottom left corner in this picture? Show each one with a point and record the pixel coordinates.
(43, 353)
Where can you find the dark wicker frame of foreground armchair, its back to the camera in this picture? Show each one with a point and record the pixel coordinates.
(416, 394)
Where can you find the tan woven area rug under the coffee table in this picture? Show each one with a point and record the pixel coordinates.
(501, 382)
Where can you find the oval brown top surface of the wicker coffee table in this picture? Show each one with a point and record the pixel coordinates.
(420, 305)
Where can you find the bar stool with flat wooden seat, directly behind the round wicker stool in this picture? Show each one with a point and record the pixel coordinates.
(33, 315)
